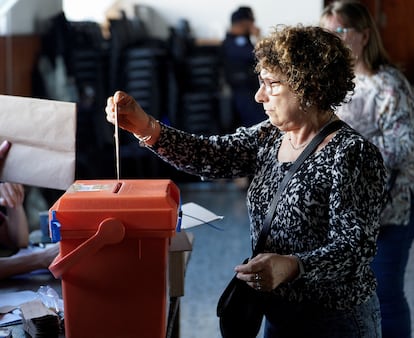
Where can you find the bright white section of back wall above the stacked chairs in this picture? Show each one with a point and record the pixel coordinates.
(208, 18)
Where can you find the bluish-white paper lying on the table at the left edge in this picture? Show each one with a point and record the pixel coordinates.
(14, 299)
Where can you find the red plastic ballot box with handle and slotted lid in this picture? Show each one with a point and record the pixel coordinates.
(114, 239)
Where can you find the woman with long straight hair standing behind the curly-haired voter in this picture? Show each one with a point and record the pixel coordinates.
(382, 109)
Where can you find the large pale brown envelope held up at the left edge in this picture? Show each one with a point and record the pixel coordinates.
(42, 135)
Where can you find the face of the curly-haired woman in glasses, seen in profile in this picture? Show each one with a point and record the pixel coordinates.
(279, 102)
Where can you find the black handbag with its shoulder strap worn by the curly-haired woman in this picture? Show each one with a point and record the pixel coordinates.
(240, 308)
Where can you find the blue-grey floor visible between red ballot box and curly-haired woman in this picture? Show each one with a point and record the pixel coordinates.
(216, 252)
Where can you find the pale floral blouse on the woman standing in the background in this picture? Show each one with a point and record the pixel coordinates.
(382, 109)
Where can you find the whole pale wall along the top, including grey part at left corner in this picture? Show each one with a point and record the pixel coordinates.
(208, 18)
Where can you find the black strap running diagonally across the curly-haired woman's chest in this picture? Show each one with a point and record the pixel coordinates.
(310, 148)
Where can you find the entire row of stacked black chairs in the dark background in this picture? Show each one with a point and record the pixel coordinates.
(174, 80)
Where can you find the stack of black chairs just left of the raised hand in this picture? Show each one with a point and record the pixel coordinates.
(88, 63)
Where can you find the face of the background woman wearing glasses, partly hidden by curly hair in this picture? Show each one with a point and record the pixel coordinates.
(355, 40)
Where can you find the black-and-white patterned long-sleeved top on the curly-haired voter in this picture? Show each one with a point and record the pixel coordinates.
(328, 214)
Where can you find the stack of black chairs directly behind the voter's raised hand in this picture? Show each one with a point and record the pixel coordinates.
(138, 65)
